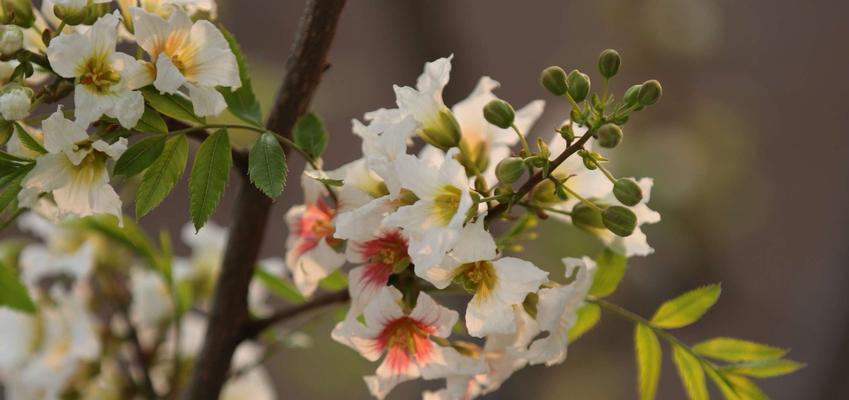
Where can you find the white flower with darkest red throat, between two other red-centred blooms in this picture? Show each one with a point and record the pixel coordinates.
(382, 255)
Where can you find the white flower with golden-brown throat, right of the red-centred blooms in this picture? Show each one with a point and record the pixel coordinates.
(498, 285)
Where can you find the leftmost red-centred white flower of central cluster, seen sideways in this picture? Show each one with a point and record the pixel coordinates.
(311, 249)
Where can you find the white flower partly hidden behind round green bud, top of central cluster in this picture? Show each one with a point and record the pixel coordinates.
(486, 143)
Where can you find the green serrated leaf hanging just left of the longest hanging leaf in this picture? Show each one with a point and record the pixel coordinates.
(162, 175)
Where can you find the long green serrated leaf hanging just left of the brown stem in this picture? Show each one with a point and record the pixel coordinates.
(210, 173)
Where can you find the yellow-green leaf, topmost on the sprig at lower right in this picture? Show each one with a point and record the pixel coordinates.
(686, 308)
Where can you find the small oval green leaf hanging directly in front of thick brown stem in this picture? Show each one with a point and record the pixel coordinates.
(267, 165)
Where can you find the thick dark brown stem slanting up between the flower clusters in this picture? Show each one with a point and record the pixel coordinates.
(229, 314)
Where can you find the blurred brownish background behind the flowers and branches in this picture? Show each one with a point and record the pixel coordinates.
(748, 149)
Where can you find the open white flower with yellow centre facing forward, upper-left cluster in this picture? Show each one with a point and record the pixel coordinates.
(105, 79)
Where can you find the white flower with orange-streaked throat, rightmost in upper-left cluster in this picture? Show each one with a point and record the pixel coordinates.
(191, 55)
